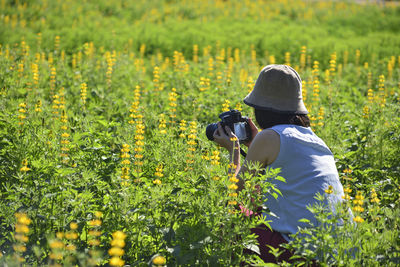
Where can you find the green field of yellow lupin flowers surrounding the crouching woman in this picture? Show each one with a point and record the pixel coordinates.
(103, 108)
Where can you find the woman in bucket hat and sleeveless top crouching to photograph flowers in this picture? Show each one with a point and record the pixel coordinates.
(286, 142)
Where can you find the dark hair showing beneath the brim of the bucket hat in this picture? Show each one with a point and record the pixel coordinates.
(268, 118)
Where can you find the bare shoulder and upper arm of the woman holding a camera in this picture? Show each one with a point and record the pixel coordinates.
(265, 147)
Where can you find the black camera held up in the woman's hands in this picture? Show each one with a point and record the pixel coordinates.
(235, 121)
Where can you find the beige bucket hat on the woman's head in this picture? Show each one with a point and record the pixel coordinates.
(278, 88)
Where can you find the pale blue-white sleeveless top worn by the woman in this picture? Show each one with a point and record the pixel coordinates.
(308, 167)
